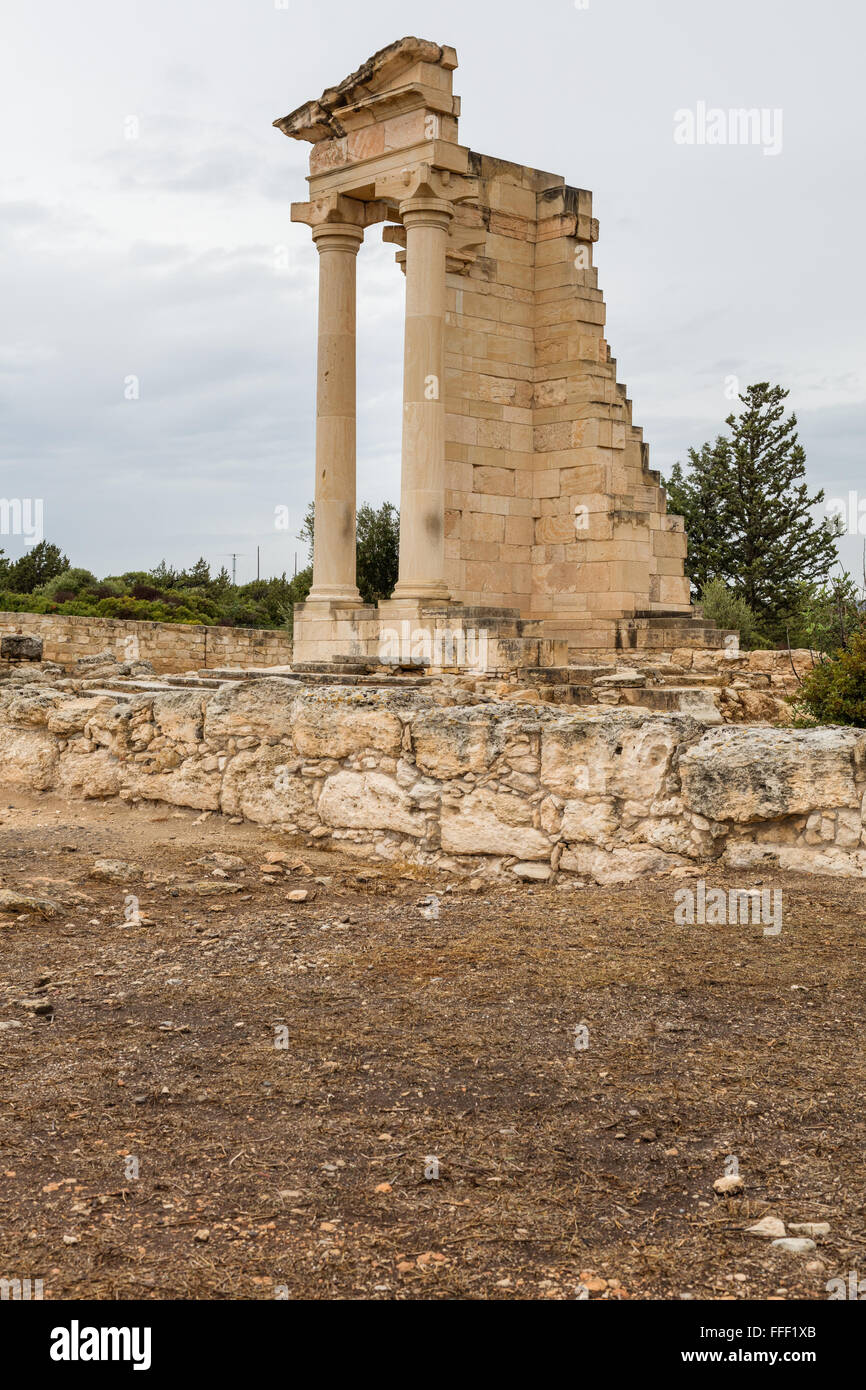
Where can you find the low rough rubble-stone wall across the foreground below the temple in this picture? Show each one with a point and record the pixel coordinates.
(473, 789)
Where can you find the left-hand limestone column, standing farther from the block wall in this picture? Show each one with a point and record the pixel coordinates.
(334, 578)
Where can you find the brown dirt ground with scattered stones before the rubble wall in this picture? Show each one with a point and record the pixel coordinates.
(419, 1038)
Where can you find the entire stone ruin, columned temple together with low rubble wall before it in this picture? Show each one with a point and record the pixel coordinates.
(530, 518)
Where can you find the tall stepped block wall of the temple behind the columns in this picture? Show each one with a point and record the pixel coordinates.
(551, 504)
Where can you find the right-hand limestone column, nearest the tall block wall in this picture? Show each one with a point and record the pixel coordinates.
(422, 575)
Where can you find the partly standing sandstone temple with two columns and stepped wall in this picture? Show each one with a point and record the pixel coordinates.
(528, 504)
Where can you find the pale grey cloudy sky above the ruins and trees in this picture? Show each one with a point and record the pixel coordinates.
(145, 233)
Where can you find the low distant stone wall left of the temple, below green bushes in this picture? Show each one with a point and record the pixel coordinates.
(170, 647)
